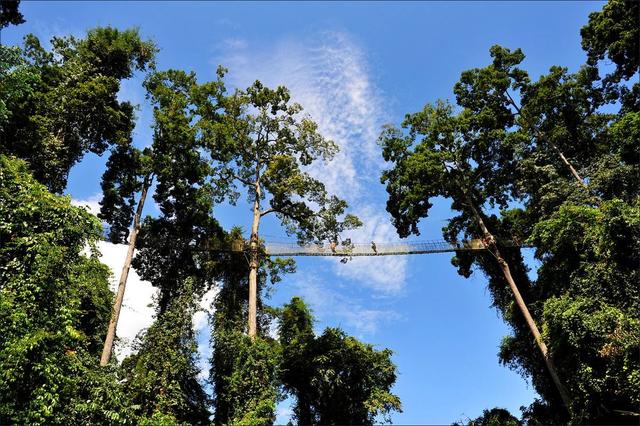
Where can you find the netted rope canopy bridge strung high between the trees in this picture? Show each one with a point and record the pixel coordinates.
(292, 249)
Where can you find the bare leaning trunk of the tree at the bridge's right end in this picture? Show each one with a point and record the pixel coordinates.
(491, 245)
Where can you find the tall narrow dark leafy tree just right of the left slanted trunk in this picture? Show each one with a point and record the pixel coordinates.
(173, 256)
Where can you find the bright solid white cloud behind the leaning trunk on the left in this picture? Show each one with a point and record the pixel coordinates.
(137, 312)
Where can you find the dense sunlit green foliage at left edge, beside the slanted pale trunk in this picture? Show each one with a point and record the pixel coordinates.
(54, 306)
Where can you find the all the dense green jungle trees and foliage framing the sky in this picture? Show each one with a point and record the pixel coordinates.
(551, 162)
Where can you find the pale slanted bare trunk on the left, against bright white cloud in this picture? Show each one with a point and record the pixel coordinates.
(117, 304)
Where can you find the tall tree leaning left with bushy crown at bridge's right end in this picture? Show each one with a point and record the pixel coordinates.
(445, 155)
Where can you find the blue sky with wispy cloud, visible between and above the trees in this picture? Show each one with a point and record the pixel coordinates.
(354, 66)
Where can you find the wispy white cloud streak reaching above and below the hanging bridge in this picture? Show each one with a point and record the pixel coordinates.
(329, 76)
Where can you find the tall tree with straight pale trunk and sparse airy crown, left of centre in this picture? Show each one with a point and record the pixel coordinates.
(264, 149)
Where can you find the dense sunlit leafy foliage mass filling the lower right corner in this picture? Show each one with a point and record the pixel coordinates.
(590, 268)
